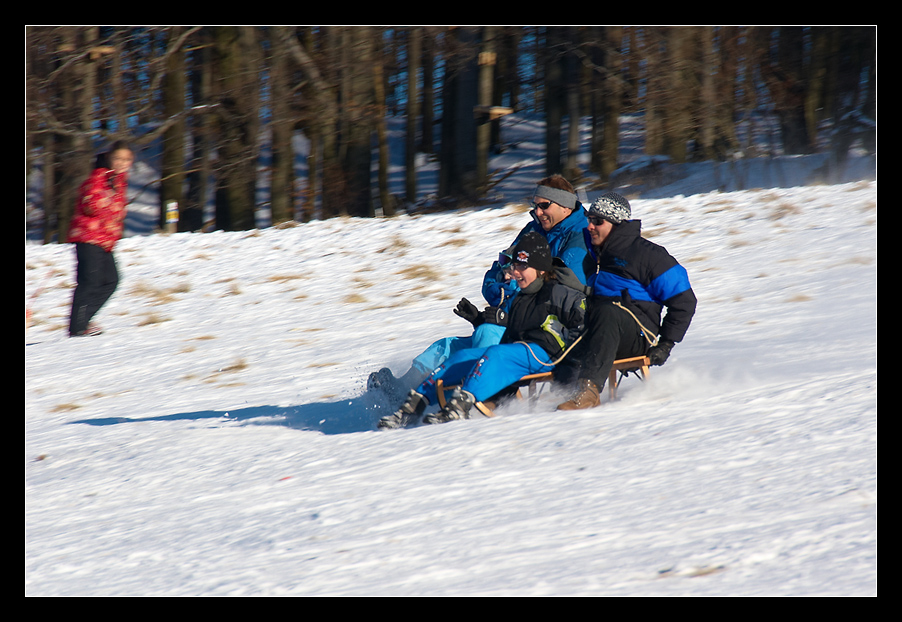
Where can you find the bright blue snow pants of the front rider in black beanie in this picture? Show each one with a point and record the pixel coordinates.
(487, 371)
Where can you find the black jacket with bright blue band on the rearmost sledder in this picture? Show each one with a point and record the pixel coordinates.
(643, 277)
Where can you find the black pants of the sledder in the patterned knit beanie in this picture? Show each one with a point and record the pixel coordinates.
(611, 334)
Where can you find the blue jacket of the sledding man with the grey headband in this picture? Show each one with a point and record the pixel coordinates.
(568, 243)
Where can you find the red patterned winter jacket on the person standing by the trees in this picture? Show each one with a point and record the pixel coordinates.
(100, 209)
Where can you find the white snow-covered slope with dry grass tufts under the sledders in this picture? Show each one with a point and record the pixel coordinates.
(218, 440)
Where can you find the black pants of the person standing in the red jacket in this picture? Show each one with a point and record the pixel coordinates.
(97, 279)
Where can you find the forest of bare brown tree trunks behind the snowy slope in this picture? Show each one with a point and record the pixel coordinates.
(219, 109)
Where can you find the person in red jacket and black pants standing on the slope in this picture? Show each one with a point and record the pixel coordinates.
(95, 229)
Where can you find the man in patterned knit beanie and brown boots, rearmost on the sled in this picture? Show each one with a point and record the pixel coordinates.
(632, 281)
